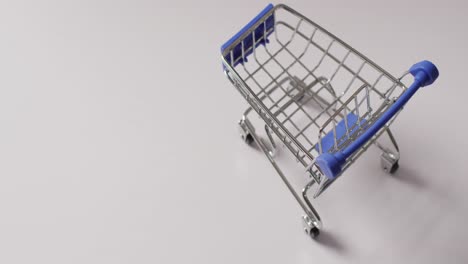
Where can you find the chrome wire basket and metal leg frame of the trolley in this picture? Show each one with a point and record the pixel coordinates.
(280, 97)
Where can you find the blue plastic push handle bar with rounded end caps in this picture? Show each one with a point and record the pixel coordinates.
(424, 73)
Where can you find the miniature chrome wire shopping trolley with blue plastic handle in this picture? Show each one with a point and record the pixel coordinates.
(315, 96)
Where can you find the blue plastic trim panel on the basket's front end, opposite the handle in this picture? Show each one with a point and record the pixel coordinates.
(248, 41)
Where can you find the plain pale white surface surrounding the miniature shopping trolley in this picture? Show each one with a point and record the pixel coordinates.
(119, 144)
